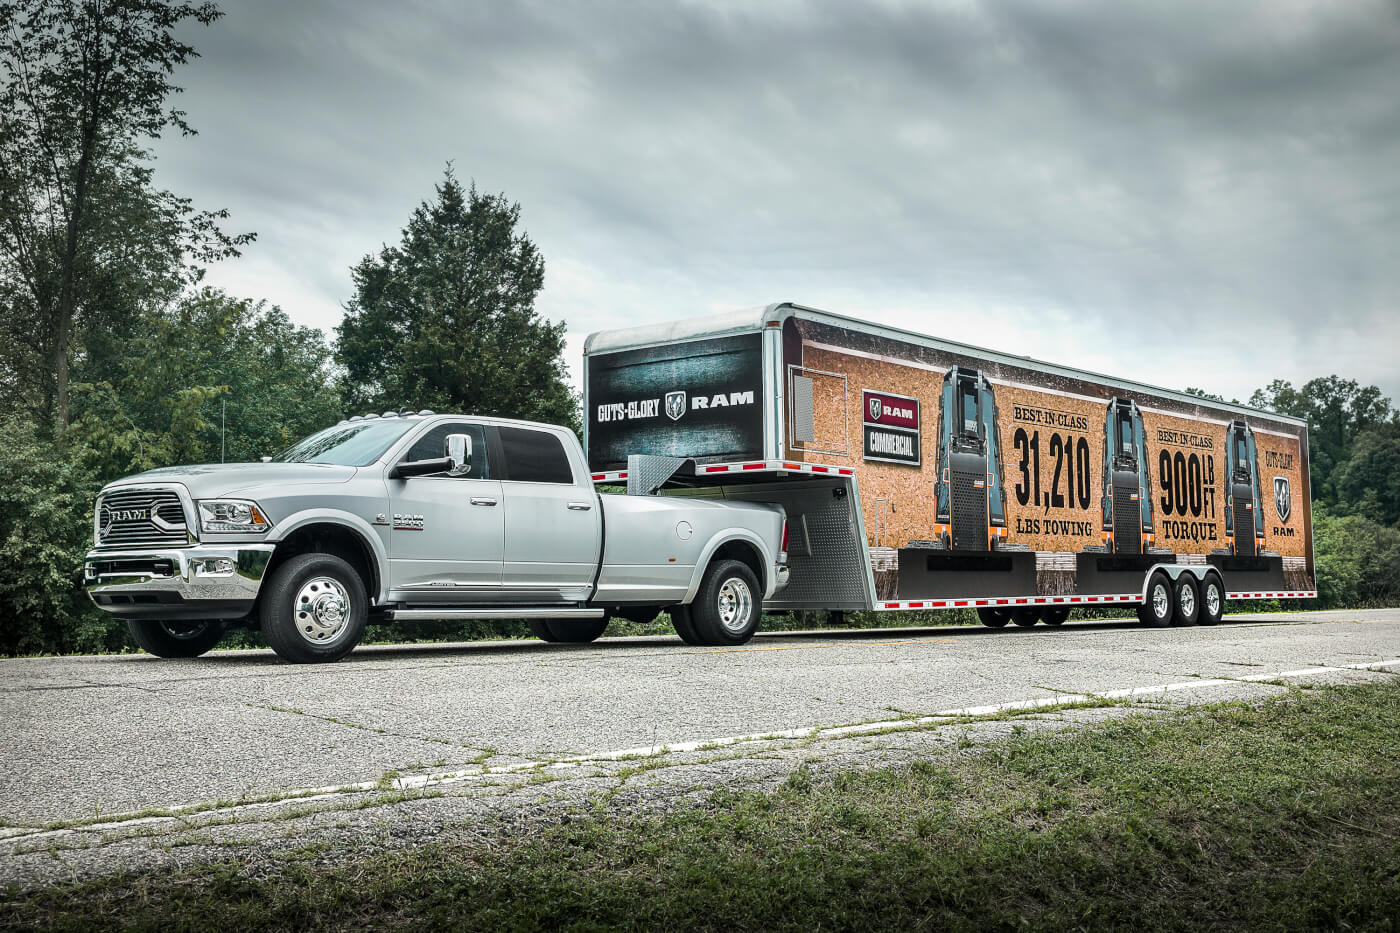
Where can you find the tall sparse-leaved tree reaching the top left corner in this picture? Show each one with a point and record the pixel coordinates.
(85, 237)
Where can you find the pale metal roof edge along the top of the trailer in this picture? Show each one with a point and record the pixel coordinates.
(754, 320)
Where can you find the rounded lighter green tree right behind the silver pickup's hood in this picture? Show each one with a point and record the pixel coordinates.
(211, 361)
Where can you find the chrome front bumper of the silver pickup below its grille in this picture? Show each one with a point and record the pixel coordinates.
(206, 582)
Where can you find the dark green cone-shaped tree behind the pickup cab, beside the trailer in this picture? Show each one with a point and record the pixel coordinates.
(447, 319)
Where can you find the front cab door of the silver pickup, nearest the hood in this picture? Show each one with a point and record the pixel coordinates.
(449, 533)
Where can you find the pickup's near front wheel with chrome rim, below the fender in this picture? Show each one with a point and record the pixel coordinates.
(314, 609)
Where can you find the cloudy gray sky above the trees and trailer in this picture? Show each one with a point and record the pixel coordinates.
(1186, 194)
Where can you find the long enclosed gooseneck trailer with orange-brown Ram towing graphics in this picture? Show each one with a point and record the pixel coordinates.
(925, 474)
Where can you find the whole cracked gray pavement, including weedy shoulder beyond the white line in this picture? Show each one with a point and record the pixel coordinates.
(92, 738)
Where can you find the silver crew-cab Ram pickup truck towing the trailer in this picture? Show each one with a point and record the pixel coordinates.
(421, 516)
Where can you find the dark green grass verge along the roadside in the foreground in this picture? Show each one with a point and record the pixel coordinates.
(1280, 816)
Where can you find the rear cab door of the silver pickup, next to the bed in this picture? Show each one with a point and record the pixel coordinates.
(554, 525)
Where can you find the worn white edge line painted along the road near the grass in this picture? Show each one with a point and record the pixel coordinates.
(442, 780)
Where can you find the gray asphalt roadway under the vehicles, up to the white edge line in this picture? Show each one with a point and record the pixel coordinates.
(94, 736)
